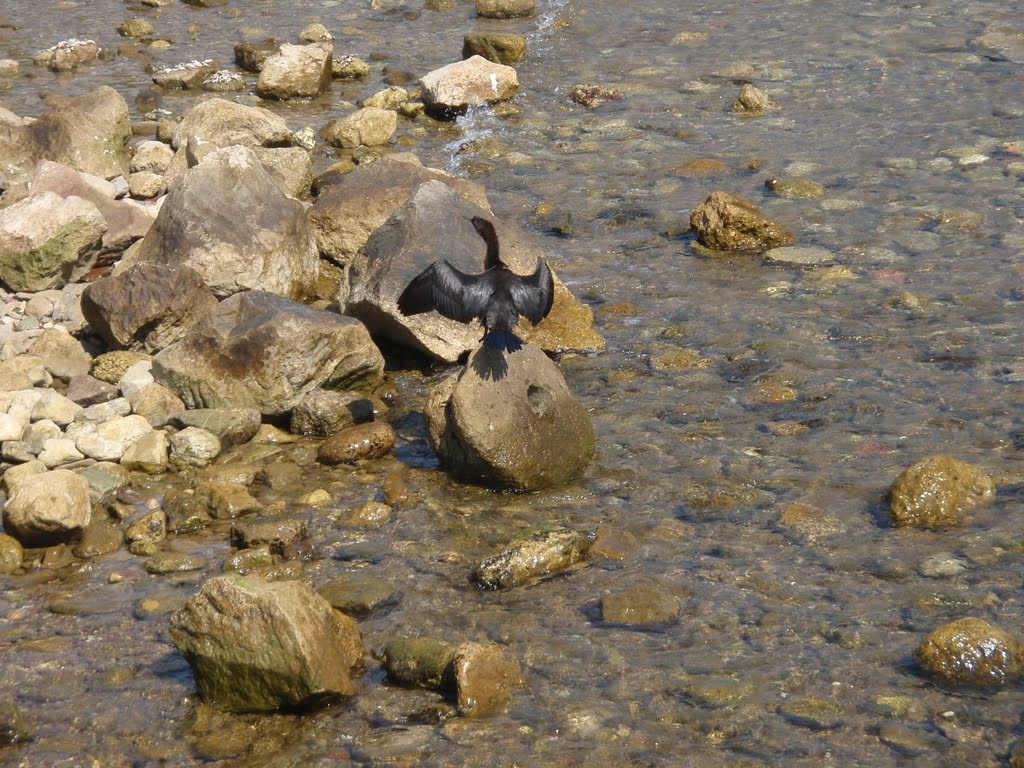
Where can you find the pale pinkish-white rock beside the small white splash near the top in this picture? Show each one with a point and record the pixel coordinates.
(474, 82)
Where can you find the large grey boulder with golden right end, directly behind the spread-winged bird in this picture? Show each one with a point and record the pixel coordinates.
(435, 225)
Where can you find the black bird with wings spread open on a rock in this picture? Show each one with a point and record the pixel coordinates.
(497, 297)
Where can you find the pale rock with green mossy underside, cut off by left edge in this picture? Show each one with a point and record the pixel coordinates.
(47, 242)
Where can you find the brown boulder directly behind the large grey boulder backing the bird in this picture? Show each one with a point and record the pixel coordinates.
(346, 215)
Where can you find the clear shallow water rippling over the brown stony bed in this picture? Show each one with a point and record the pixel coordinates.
(818, 387)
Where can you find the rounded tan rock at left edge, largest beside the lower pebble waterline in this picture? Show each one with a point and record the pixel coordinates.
(49, 508)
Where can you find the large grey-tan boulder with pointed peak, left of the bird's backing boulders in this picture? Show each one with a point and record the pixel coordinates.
(230, 222)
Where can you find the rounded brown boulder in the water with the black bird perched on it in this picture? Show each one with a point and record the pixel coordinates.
(510, 421)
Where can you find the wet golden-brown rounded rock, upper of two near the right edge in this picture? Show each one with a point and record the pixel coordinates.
(937, 492)
